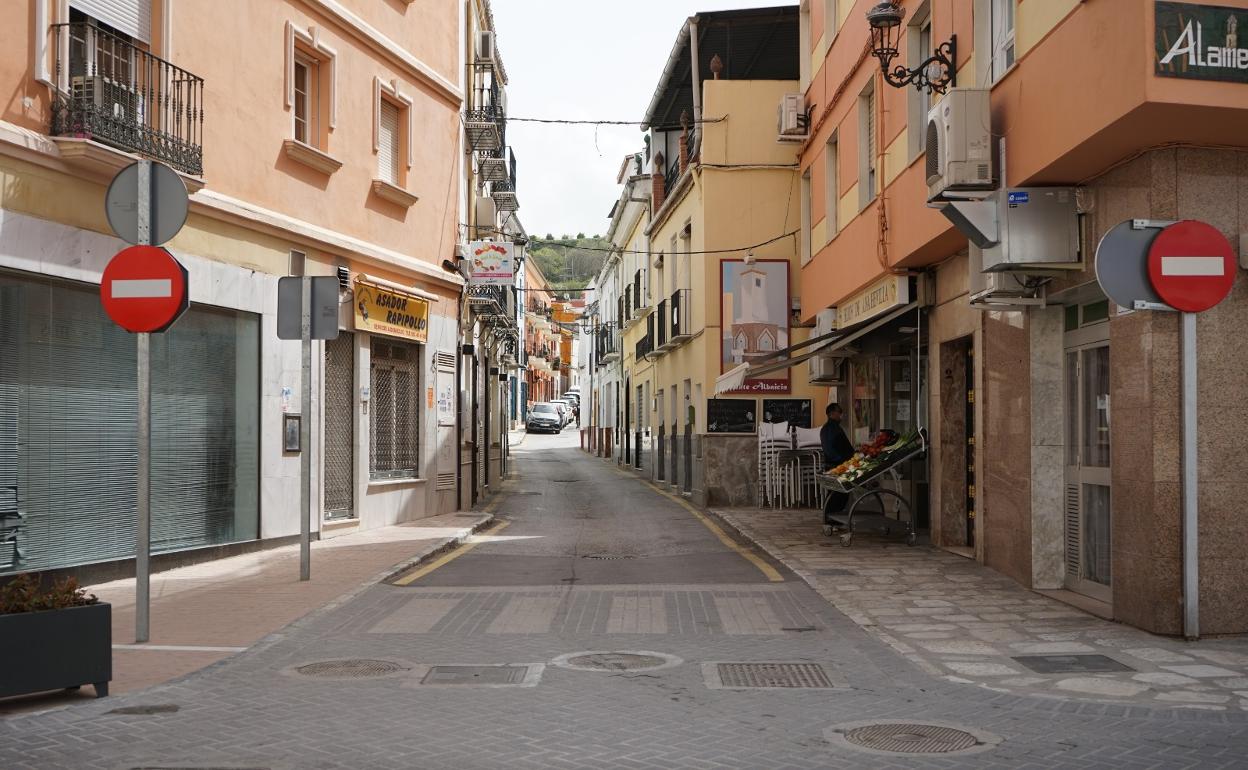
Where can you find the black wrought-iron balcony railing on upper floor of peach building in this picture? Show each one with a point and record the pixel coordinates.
(117, 94)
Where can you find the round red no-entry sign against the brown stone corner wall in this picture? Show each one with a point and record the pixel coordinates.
(1192, 266)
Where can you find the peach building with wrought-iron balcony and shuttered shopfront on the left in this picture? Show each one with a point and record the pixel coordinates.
(330, 155)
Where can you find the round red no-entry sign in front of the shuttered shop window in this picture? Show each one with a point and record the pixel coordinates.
(145, 290)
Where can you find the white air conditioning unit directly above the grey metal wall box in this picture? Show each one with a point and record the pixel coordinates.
(959, 143)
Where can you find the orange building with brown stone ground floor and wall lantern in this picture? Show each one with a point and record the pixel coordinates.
(1053, 414)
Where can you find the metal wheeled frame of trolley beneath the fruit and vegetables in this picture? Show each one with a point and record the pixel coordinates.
(872, 504)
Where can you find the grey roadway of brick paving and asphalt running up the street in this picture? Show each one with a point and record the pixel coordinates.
(592, 562)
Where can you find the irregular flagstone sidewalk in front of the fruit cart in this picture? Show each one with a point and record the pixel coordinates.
(964, 622)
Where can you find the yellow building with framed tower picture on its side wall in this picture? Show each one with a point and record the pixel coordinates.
(711, 276)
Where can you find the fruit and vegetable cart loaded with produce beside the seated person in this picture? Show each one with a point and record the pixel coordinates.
(872, 504)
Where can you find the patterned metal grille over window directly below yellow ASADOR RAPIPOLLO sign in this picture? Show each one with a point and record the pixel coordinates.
(394, 435)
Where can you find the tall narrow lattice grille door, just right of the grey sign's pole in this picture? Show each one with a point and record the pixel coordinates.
(340, 390)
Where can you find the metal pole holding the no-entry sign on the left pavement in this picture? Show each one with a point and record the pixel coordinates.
(143, 545)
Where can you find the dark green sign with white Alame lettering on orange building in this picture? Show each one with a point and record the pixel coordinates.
(1201, 42)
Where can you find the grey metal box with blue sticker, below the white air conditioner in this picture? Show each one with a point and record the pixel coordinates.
(1039, 230)
